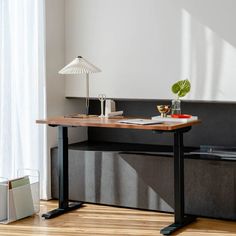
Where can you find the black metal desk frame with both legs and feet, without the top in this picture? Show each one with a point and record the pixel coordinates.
(180, 219)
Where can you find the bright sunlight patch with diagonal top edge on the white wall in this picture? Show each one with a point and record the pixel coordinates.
(208, 61)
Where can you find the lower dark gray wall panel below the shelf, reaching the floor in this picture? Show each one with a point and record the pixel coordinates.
(146, 182)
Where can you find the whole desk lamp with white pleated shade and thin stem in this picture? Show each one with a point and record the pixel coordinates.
(80, 66)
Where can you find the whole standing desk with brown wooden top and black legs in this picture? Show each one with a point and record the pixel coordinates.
(177, 129)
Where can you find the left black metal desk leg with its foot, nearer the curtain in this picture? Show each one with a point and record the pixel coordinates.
(64, 205)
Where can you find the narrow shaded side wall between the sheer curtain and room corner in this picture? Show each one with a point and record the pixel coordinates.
(55, 84)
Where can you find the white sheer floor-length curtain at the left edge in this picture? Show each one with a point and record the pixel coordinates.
(22, 88)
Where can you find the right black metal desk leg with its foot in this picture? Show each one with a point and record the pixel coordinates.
(181, 220)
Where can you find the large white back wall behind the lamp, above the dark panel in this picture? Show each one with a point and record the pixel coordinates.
(143, 46)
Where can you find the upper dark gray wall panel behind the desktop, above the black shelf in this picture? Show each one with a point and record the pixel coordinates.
(217, 128)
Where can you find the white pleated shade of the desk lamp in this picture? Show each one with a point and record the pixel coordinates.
(79, 66)
